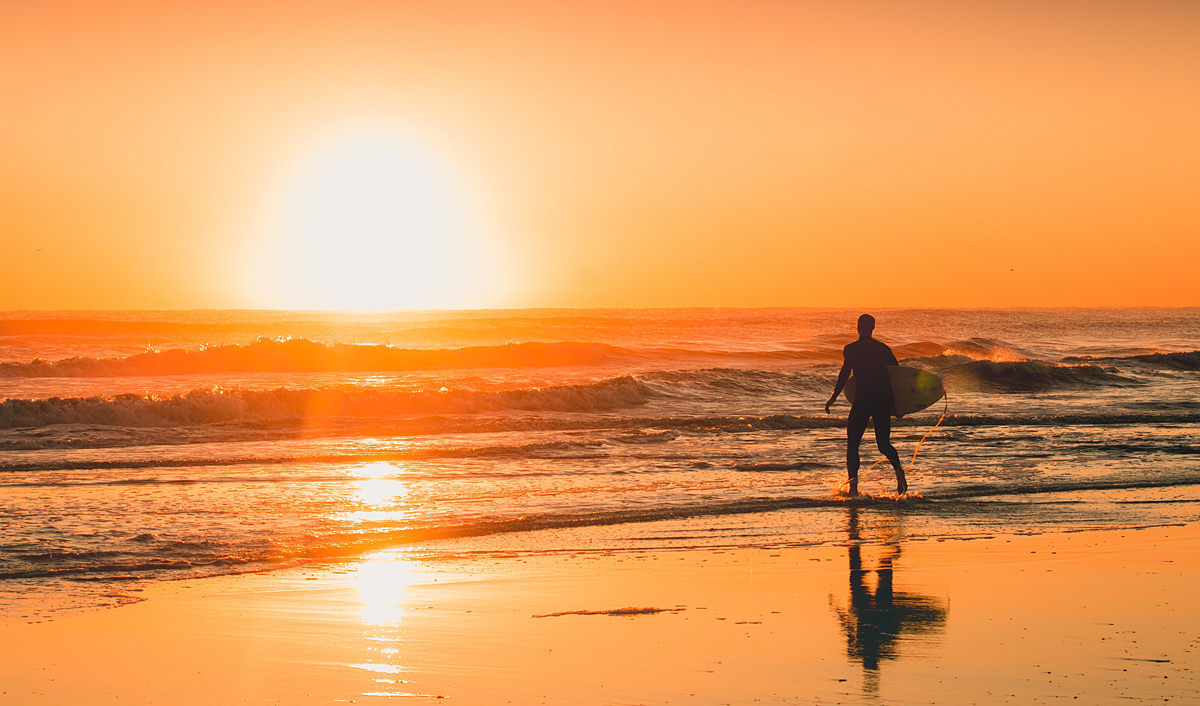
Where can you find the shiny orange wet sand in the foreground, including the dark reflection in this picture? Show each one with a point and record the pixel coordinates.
(1103, 617)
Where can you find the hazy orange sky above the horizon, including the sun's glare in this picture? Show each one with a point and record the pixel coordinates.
(159, 155)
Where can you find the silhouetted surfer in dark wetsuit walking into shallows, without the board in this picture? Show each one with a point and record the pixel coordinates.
(868, 360)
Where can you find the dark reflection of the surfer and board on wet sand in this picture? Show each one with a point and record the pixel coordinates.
(877, 621)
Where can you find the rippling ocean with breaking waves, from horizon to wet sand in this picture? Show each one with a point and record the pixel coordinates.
(143, 447)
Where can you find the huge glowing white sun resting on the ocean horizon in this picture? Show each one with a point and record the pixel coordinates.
(375, 222)
